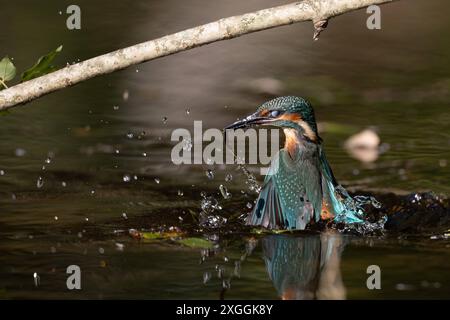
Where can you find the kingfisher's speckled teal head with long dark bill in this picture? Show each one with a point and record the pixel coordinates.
(284, 112)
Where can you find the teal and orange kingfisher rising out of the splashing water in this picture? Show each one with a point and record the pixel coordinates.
(300, 188)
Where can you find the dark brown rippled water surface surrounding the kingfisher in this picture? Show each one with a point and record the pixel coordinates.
(395, 80)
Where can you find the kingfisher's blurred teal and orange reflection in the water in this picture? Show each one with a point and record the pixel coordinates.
(305, 267)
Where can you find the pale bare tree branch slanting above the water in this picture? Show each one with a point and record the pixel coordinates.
(317, 11)
